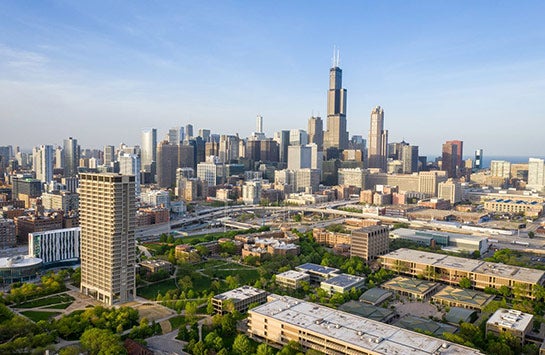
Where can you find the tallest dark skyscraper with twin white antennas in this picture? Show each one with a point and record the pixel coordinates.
(336, 135)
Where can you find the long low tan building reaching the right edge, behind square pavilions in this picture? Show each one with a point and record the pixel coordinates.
(451, 269)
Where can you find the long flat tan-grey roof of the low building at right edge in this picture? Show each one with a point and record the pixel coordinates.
(516, 273)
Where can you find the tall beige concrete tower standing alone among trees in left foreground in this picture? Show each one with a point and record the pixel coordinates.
(107, 220)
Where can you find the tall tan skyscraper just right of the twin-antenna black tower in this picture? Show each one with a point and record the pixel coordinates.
(378, 140)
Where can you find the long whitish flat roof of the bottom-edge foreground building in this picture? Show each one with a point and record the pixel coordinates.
(359, 332)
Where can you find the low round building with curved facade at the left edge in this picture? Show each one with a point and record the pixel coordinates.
(19, 268)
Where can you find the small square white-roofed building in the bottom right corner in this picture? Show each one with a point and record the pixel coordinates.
(511, 321)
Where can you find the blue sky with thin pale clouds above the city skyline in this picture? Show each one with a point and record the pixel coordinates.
(101, 71)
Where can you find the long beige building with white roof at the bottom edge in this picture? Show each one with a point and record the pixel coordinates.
(285, 319)
